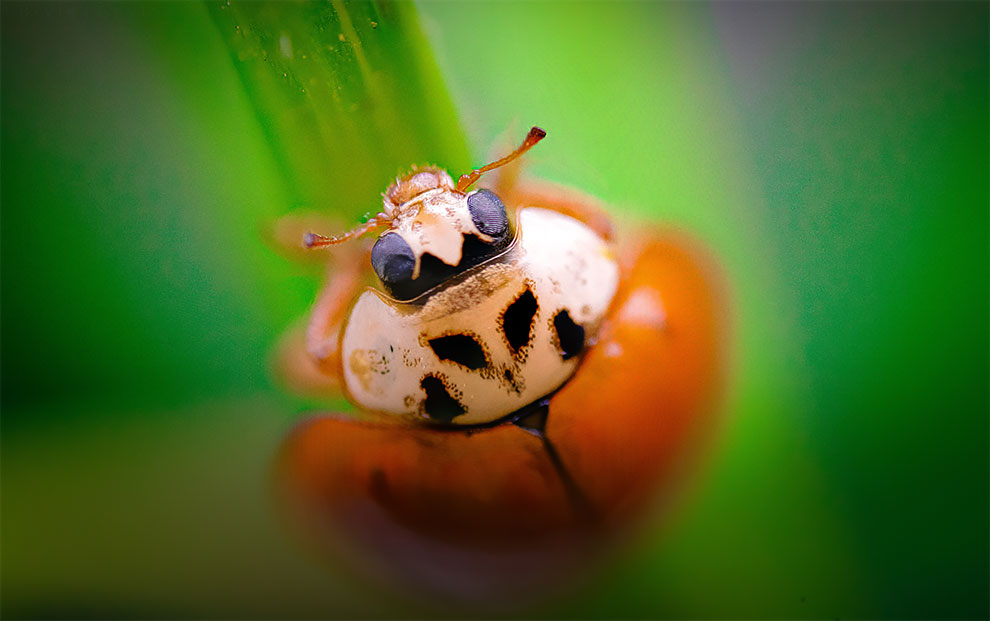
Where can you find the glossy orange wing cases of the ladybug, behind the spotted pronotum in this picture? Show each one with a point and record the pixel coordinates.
(483, 512)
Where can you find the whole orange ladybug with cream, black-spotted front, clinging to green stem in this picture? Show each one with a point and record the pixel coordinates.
(527, 387)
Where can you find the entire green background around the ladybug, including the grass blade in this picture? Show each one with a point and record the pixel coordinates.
(833, 157)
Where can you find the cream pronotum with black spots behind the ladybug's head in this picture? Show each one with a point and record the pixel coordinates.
(489, 341)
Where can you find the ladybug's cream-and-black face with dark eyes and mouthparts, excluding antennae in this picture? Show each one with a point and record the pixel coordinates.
(452, 232)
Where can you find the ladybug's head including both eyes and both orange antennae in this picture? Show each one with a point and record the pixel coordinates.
(436, 230)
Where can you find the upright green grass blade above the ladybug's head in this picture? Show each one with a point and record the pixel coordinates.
(345, 92)
